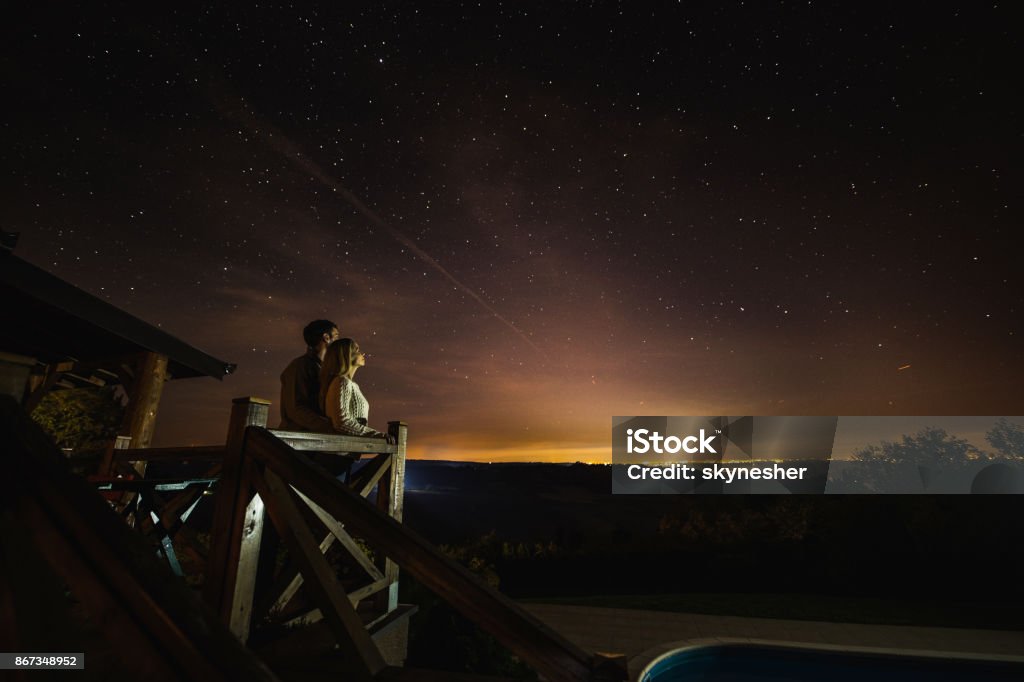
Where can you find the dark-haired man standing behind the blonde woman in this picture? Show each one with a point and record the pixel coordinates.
(301, 381)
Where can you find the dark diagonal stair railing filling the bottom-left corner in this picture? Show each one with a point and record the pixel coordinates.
(158, 628)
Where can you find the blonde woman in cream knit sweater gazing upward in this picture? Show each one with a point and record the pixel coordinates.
(340, 397)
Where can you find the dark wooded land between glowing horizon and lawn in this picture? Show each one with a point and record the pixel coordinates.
(557, 530)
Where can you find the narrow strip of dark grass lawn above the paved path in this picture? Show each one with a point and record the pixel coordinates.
(815, 608)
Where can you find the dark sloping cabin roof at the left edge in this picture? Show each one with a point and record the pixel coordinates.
(54, 321)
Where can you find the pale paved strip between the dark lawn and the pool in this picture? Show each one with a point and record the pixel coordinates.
(636, 633)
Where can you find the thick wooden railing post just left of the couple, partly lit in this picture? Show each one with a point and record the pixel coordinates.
(238, 525)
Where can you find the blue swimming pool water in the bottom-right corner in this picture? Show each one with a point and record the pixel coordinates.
(750, 663)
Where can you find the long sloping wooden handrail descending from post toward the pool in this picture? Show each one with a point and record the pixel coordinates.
(550, 654)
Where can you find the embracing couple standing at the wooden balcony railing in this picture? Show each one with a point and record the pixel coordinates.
(318, 392)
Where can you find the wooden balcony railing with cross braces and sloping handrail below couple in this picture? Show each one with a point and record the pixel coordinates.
(263, 474)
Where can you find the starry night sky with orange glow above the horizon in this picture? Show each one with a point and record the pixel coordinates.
(537, 217)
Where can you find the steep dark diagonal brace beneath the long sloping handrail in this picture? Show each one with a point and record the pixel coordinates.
(321, 582)
